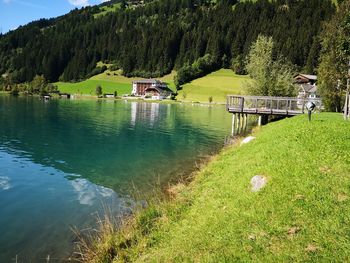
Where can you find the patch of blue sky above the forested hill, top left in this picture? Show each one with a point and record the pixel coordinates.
(14, 13)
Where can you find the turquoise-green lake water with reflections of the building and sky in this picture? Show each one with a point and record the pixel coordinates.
(62, 161)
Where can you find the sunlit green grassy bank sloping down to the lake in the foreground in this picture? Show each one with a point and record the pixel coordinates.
(303, 213)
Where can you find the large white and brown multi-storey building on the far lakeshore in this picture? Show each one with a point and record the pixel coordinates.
(151, 88)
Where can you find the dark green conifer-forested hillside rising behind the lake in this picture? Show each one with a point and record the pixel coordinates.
(154, 38)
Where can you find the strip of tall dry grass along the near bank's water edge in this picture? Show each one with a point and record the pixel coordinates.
(160, 196)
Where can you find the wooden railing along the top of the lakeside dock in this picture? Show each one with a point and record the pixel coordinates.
(269, 105)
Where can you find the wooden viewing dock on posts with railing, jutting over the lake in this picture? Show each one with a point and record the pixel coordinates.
(265, 106)
